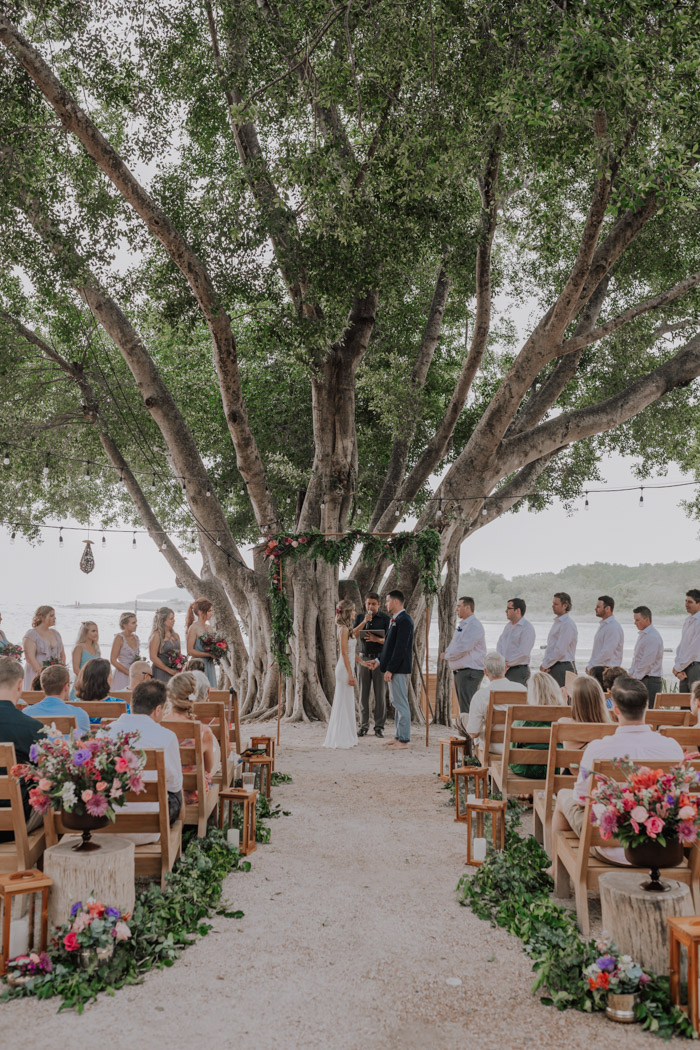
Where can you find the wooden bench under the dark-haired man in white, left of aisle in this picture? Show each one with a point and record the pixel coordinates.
(155, 858)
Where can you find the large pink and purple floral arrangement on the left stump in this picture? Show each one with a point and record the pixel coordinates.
(82, 775)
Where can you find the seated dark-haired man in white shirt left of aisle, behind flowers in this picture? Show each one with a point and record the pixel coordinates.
(149, 703)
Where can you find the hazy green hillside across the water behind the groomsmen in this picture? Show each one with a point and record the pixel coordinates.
(661, 586)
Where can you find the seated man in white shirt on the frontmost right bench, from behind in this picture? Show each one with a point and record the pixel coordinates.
(632, 740)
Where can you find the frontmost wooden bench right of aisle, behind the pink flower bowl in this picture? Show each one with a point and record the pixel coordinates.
(576, 863)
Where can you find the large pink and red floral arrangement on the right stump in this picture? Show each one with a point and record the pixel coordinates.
(650, 806)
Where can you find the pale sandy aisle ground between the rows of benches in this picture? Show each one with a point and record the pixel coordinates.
(351, 932)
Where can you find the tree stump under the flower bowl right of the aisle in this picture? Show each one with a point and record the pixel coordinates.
(637, 920)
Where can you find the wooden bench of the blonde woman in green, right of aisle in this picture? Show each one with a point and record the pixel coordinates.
(516, 748)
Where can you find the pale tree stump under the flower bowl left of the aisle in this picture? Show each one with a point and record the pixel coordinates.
(107, 874)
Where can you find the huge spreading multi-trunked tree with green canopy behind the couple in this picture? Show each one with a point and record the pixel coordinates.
(267, 265)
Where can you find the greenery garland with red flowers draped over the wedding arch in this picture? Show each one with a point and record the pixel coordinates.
(338, 551)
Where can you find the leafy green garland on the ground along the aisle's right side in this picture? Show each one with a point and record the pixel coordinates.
(513, 890)
